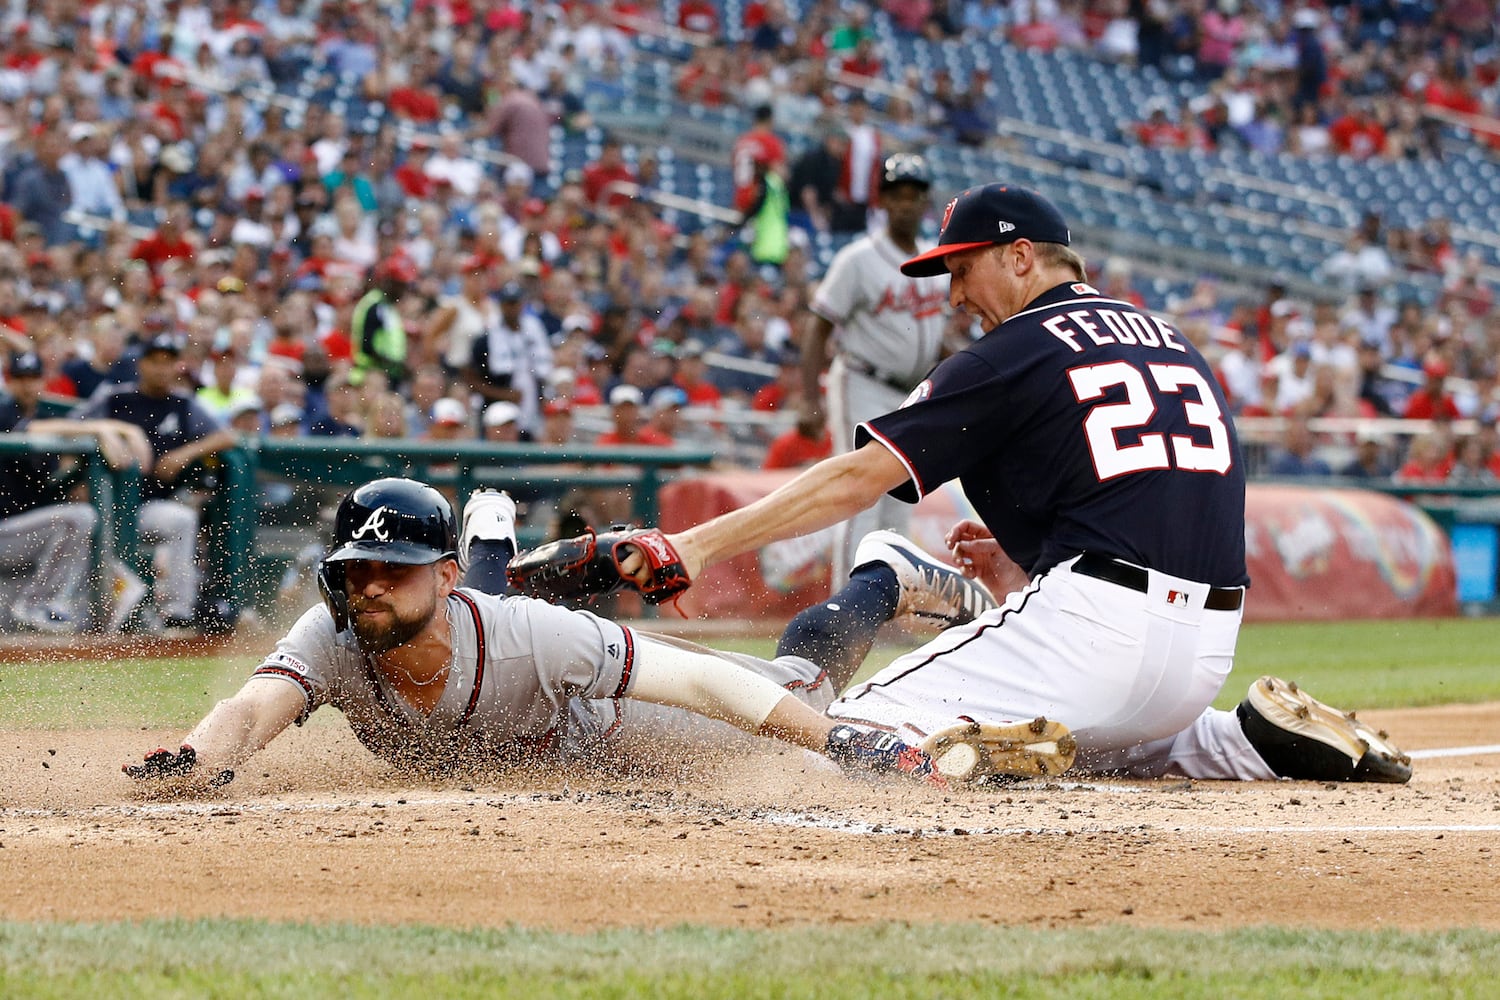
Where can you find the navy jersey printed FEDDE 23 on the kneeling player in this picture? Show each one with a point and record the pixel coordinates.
(1082, 425)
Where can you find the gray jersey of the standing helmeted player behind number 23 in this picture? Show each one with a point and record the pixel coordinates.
(887, 322)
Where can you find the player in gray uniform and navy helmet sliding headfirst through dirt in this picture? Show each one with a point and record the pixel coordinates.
(431, 674)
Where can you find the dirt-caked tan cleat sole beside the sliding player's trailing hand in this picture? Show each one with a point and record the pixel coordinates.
(974, 752)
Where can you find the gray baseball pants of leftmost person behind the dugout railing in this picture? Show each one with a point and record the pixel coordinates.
(50, 549)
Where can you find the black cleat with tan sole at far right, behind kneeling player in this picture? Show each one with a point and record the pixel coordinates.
(1303, 738)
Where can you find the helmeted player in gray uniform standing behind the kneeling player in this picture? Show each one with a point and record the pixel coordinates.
(887, 332)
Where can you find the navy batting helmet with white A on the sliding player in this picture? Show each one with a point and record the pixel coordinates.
(388, 521)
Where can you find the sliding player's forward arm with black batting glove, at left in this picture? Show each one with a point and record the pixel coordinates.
(226, 738)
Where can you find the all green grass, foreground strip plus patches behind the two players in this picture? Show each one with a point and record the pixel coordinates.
(1358, 665)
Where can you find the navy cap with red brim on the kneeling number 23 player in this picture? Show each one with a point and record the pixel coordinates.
(988, 217)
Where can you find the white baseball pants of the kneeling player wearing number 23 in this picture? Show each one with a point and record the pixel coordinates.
(1130, 674)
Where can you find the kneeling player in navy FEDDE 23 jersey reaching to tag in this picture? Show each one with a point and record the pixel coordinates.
(1096, 446)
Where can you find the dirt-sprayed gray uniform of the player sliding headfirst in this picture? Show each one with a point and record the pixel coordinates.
(527, 678)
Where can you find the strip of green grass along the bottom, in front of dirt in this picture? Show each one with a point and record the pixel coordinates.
(236, 959)
